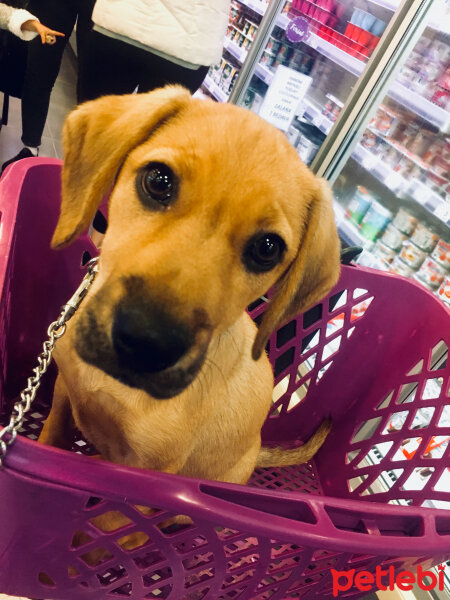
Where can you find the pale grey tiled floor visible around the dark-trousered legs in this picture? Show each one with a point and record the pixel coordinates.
(62, 101)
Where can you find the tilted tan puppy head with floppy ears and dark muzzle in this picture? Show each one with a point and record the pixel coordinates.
(210, 207)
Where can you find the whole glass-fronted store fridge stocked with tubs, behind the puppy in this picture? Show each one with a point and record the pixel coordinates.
(362, 91)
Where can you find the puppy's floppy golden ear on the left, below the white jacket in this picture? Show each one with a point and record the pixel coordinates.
(97, 136)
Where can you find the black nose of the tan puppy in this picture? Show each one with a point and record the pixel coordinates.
(146, 340)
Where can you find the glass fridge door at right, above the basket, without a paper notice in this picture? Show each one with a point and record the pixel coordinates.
(393, 193)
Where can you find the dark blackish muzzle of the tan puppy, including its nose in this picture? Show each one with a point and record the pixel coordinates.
(146, 348)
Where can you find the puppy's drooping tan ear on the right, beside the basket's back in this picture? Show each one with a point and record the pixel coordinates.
(313, 272)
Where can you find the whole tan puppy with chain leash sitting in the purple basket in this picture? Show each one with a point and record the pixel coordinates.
(161, 367)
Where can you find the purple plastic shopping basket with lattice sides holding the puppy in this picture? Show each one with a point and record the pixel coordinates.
(372, 355)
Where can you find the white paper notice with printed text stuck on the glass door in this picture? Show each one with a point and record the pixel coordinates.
(286, 91)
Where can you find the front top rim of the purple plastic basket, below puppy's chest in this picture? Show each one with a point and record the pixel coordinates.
(209, 499)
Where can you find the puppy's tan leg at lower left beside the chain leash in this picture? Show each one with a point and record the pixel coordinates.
(59, 427)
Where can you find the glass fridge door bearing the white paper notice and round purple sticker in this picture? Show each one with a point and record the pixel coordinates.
(308, 63)
